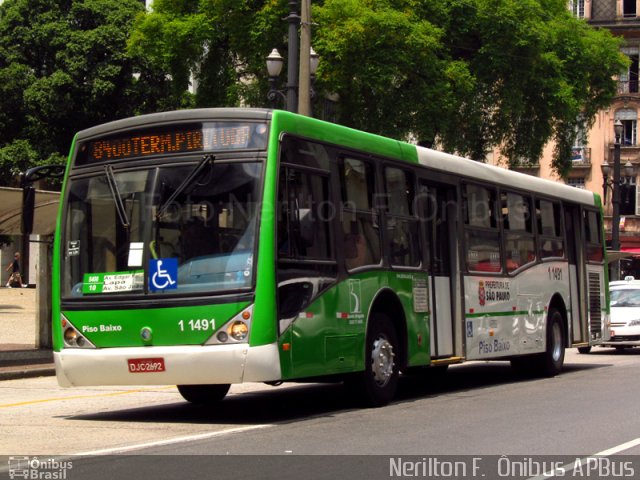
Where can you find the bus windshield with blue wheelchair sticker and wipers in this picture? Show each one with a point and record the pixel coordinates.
(193, 224)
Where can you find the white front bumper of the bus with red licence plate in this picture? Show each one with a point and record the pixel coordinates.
(181, 365)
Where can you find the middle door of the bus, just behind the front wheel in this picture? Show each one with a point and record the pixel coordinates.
(439, 210)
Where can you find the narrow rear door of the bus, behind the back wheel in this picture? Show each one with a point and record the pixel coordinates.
(572, 223)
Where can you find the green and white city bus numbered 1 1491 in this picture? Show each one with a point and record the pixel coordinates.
(203, 248)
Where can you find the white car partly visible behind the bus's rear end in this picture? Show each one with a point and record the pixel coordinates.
(625, 314)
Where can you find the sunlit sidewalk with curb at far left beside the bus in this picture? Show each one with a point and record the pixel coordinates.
(19, 357)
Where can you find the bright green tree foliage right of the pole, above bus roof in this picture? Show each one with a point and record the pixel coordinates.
(472, 73)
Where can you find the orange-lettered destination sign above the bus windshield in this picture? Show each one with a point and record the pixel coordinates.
(199, 138)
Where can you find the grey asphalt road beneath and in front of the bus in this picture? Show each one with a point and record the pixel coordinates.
(477, 410)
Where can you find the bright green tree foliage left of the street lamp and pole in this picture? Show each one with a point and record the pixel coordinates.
(220, 43)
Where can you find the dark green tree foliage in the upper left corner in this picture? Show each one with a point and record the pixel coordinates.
(63, 67)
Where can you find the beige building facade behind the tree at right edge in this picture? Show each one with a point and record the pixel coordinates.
(595, 148)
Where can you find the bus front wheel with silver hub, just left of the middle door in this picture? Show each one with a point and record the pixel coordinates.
(376, 386)
